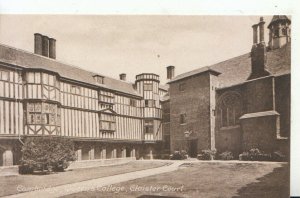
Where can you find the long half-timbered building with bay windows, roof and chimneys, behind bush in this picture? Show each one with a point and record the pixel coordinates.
(106, 117)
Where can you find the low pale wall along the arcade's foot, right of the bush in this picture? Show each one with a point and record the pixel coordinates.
(99, 162)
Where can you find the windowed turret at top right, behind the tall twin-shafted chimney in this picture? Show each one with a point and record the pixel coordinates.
(279, 31)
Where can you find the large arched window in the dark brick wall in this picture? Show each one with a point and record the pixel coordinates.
(229, 109)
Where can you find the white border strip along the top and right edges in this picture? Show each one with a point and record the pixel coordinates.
(184, 7)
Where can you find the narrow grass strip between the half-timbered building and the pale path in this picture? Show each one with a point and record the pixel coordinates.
(11, 184)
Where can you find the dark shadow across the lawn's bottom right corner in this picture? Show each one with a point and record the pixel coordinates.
(275, 184)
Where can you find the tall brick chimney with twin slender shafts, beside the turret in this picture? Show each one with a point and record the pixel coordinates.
(258, 53)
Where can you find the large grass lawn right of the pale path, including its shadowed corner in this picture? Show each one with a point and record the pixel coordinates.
(206, 180)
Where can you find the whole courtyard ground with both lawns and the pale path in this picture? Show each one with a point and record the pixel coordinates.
(189, 179)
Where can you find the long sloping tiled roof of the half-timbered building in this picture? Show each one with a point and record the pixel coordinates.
(29, 60)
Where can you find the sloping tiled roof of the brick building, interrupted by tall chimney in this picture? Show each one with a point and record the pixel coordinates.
(237, 70)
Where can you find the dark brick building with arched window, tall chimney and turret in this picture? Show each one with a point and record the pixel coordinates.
(237, 104)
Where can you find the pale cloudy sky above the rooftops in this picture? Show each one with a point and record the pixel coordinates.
(133, 44)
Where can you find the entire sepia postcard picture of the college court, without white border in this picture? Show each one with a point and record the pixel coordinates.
(145, 106)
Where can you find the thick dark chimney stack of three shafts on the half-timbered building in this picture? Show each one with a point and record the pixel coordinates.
(45, 46)
